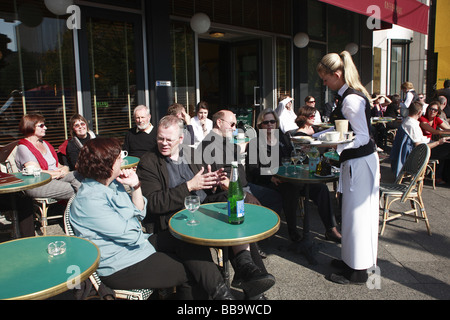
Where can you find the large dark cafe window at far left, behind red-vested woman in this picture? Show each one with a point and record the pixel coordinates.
(37, 72)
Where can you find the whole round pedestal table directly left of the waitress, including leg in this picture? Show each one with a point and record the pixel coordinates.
(304, 177)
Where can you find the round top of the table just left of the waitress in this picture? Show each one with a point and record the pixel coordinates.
(303, 175)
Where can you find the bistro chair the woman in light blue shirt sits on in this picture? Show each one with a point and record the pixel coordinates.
(133, 294)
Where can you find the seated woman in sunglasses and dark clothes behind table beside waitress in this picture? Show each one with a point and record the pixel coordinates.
(267, 123)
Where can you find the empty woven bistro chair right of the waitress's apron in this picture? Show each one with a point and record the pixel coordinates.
(407, 187)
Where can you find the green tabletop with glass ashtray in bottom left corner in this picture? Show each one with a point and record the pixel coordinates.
(29, 272)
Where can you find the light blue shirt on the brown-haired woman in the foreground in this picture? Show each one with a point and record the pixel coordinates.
(106, 216)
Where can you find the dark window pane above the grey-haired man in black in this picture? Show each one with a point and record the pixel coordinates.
(112, 66)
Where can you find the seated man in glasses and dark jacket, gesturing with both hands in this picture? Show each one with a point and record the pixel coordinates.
(168, 176)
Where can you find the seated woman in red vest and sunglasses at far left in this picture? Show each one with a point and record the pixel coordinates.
(34, 151)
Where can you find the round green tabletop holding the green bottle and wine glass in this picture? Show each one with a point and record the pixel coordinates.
(214, 229)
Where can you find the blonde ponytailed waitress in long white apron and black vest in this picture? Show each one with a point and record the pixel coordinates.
(360, 171)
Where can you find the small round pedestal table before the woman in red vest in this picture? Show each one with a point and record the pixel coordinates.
(28, 182)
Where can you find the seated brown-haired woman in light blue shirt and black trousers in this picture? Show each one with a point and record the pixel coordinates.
(106, 214)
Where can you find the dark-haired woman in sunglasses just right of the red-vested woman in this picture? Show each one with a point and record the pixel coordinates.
(80, 135)
